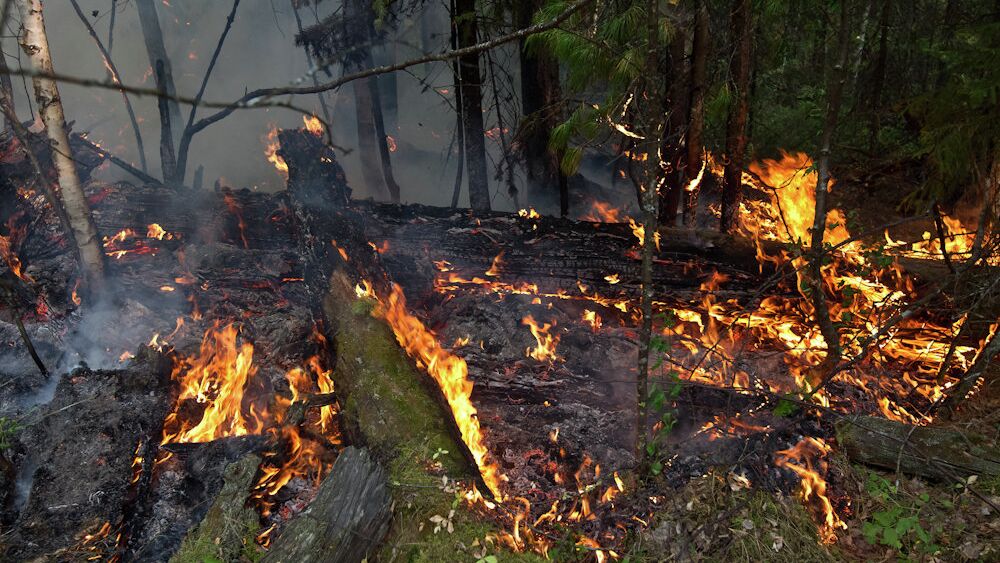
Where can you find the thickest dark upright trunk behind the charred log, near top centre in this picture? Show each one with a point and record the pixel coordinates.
(540, 102)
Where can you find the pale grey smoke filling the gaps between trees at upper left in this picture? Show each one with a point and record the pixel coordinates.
(261, 52)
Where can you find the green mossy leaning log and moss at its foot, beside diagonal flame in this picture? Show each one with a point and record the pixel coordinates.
(386, 407)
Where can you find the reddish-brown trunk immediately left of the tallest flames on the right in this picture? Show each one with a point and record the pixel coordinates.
(736, 139)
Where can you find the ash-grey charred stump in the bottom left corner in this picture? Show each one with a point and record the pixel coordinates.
(83, 456)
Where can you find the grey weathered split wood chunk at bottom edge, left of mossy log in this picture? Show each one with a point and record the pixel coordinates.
(346, 521)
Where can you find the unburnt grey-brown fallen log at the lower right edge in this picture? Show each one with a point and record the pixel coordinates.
(926, 451)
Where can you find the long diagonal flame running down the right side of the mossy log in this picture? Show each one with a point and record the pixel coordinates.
(449, 371)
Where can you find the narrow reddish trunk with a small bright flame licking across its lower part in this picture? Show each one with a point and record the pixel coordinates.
(696, 116)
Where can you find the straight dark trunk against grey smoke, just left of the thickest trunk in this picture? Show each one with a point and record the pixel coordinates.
(464, 16)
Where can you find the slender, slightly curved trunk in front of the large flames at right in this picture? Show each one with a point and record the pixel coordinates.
(817, 253)
